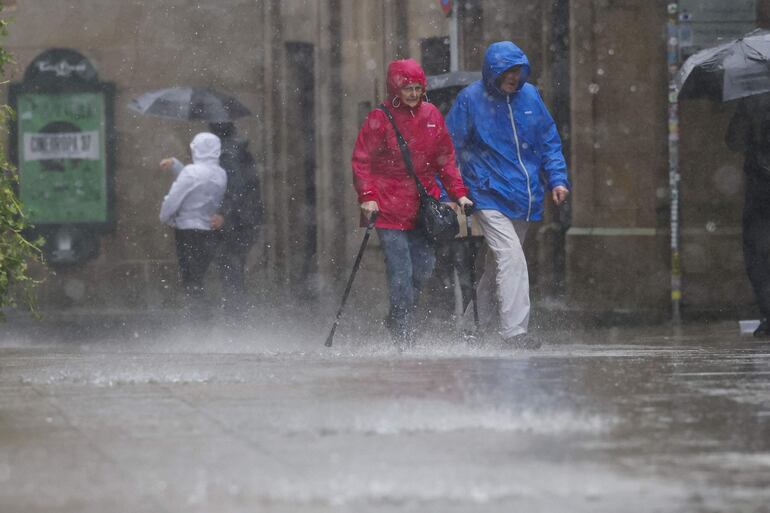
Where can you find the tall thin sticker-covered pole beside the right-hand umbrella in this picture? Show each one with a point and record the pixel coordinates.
(673, 59)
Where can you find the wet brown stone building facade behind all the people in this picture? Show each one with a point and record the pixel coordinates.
(310, 70)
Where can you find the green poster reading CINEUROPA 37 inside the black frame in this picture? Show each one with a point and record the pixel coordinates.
(62, 163)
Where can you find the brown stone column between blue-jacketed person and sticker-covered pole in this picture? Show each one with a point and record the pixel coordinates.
(617, 248)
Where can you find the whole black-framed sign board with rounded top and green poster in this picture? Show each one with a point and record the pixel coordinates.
(62, 142)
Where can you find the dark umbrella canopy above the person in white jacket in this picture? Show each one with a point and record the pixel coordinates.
(190, 103)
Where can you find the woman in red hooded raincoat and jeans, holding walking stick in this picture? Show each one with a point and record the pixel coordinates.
(385, 186)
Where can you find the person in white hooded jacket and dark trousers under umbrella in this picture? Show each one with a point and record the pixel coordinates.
(192, 201)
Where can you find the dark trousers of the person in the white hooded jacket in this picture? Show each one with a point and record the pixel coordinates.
(194, 250)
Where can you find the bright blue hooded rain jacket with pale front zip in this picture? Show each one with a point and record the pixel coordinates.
(506, 143)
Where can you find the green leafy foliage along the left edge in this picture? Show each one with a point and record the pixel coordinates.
(16, 251)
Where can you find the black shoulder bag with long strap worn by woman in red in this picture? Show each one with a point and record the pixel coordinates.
(437, 220)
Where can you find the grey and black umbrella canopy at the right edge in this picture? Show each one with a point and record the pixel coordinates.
(729, 71)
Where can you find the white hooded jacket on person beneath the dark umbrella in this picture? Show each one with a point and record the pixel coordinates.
(197, 192)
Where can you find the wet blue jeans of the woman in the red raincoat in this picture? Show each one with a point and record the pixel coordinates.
(409, 261)
